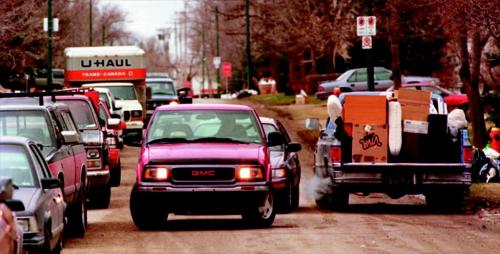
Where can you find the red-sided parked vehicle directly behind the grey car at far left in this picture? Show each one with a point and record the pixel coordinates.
(52, 127)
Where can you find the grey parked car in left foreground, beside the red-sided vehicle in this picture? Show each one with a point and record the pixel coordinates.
(42, 220)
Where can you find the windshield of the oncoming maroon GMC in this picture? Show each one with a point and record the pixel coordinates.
(222, 126)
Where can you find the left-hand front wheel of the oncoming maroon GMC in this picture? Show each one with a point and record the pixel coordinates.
(144, 214)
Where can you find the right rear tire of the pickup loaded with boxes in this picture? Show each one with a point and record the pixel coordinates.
(445, 201)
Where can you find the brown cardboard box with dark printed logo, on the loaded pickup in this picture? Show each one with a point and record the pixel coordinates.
(369, 143)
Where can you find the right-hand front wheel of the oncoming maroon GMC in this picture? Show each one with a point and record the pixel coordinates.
(262, 215)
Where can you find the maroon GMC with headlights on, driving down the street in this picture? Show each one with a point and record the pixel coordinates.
(208, 159)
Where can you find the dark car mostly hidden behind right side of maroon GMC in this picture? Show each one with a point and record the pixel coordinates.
(286, 166)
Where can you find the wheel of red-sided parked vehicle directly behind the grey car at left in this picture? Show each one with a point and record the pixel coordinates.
(77, 217)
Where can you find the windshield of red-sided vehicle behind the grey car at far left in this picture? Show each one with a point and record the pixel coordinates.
(32, 124)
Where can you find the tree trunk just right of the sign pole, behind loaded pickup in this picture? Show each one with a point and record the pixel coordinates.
(395, 40)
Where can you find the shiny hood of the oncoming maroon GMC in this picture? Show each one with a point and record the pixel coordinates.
(206, 153)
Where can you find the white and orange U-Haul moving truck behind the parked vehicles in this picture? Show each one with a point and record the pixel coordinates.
(122, 70)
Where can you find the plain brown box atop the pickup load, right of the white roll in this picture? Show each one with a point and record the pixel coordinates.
(415, 104)
